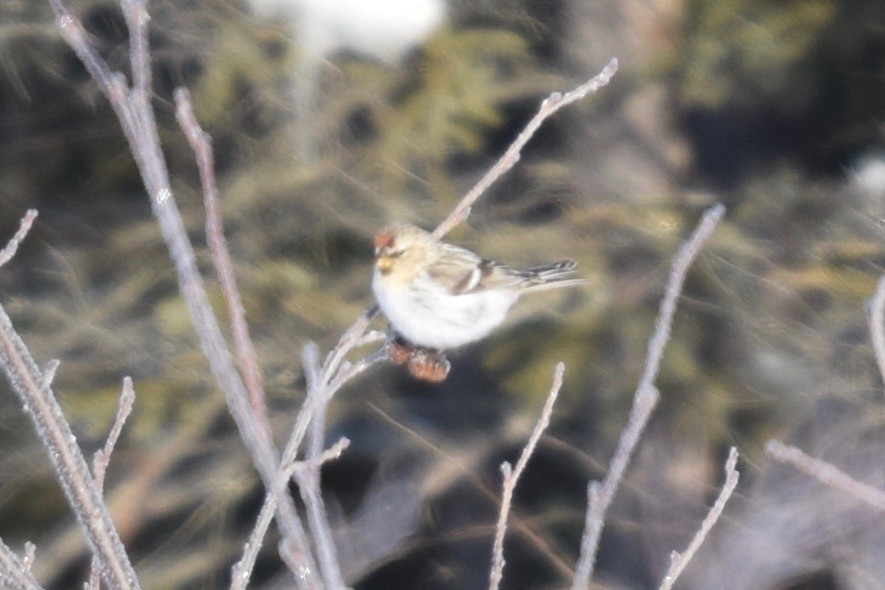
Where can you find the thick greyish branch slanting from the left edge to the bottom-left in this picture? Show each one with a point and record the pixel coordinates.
(67, 459)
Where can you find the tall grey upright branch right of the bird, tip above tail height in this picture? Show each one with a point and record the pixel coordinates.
(599, 496)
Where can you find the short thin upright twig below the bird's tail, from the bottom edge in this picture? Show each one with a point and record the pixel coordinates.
(512, 474)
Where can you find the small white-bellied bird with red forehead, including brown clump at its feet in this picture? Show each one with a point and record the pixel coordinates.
(438, 296)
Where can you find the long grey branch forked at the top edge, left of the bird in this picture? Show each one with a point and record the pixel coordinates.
(136, 118)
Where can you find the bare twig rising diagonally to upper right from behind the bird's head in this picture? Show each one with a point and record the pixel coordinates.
(549, 106)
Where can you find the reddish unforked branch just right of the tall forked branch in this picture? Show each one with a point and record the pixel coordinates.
(247, 357)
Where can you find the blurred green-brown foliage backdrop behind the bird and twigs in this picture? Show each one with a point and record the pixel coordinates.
(333, 119)
